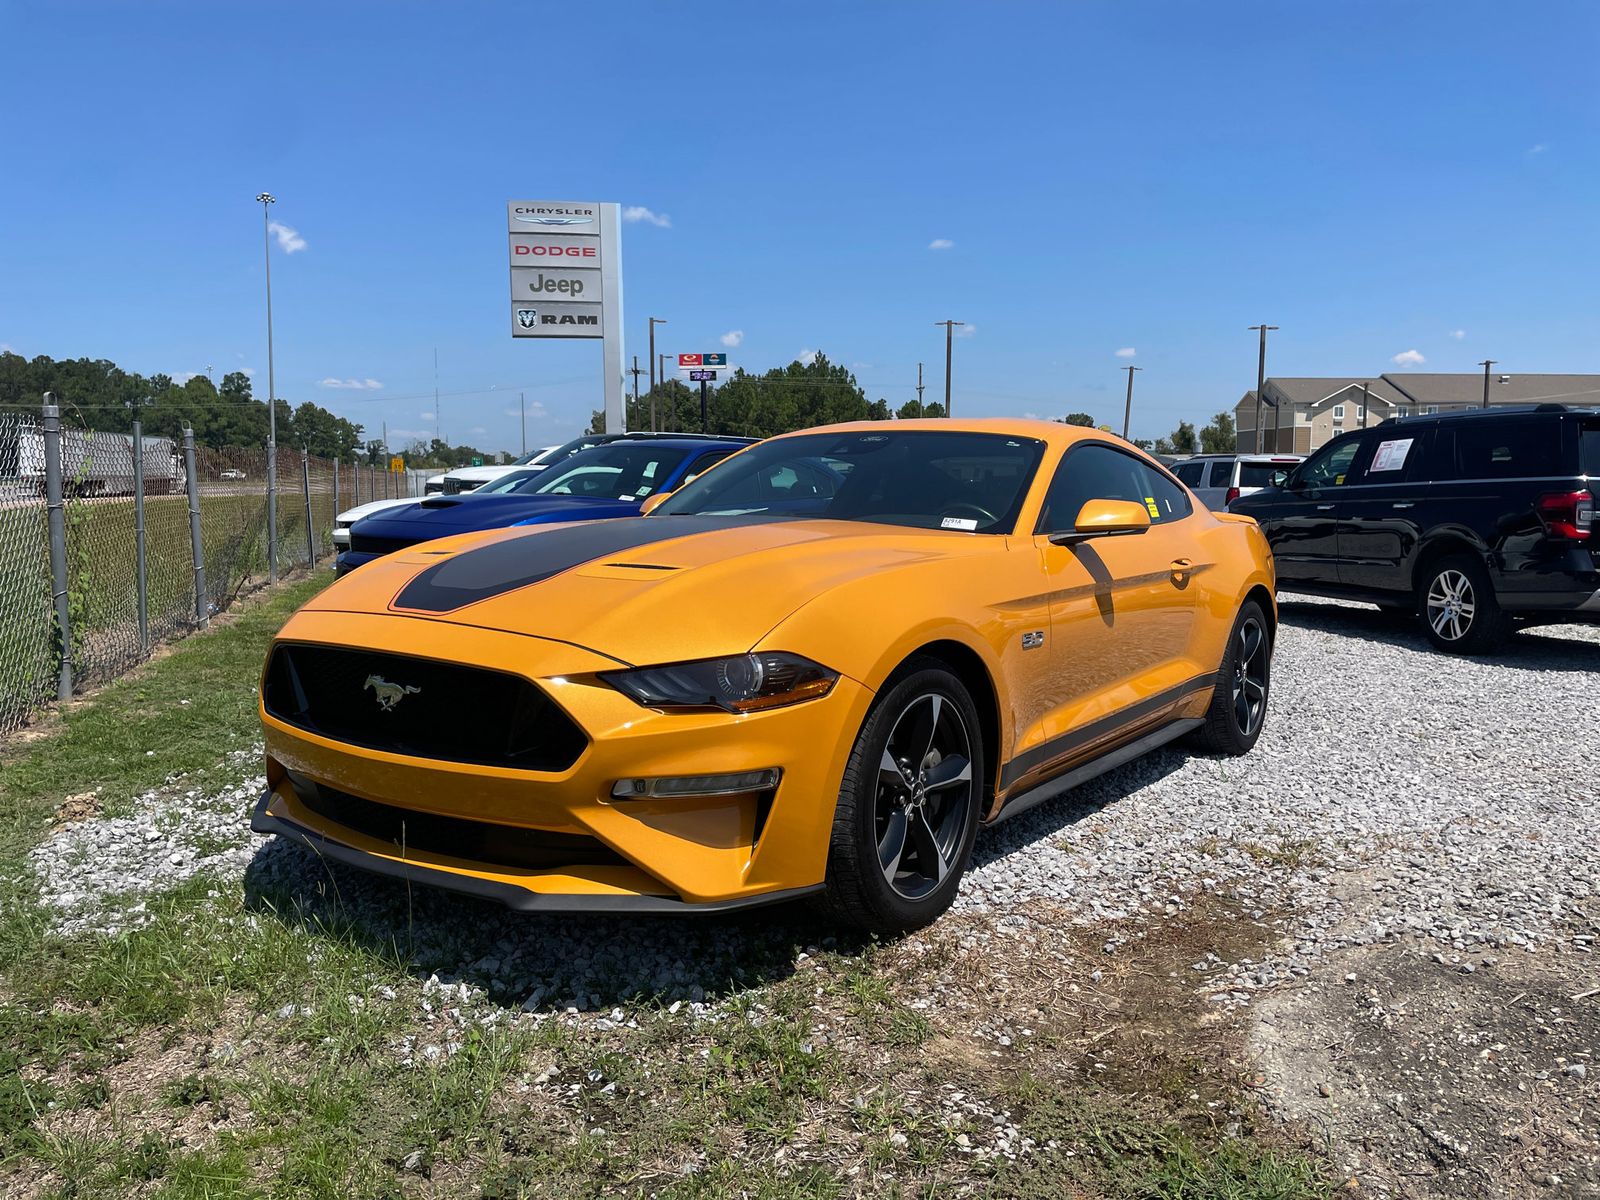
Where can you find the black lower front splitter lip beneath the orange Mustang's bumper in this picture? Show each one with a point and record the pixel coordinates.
(519, 900)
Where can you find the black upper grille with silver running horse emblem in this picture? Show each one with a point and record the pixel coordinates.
(420, 708)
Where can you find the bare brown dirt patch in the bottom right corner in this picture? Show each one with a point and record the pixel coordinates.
(1444, 1076)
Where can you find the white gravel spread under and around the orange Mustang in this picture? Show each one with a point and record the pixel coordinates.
(1458, 791)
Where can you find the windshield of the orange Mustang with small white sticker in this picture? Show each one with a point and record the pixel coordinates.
(924, 479)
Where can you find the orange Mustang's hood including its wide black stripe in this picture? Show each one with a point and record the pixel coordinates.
(641, 590)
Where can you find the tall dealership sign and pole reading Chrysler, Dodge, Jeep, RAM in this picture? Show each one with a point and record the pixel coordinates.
(567, 282)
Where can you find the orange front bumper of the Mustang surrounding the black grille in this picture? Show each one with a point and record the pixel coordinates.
(655, 855)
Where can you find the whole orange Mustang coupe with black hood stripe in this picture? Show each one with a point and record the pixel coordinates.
(815, 670)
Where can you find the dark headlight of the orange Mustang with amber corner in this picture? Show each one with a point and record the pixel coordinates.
(740, 684)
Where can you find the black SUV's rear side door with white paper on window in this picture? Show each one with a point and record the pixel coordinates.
(1382, 508)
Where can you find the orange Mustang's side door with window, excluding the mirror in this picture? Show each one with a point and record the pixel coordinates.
(1122, 610)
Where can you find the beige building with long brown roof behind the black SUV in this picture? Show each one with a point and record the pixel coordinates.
(1303, 414)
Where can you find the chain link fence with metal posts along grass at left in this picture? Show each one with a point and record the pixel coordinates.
(153, 542)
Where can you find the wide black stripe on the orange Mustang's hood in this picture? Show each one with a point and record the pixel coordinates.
(503, 567)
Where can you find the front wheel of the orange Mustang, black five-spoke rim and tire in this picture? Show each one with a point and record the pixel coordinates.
(910, 804)
